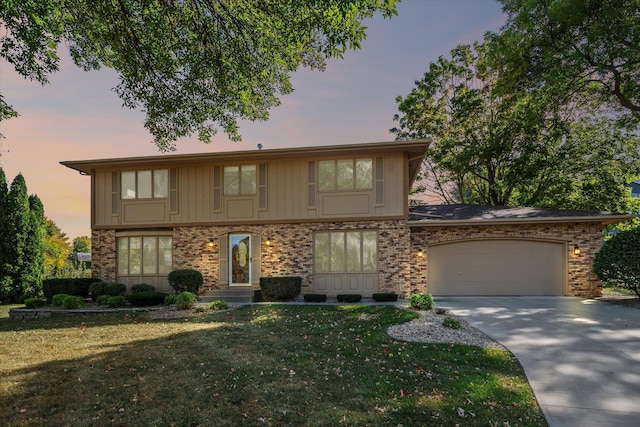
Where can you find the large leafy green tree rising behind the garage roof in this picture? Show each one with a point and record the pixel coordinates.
(511, 149)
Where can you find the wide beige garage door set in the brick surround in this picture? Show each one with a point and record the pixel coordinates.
(496, 267)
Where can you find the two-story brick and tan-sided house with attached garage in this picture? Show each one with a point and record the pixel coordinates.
(337, 216)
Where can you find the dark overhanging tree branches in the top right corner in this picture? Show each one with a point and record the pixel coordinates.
(573, 47)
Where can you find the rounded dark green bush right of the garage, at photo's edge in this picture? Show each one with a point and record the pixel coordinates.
(618, 261)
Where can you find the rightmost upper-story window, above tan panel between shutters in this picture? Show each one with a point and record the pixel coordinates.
(345, 174)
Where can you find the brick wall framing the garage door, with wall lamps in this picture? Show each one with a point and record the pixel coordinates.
(581, 280)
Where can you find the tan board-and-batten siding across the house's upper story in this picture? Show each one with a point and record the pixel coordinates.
(287, 192)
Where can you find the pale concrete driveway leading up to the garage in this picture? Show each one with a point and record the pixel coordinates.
(582, 357)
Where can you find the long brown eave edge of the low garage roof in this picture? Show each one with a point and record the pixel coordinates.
(604, 220)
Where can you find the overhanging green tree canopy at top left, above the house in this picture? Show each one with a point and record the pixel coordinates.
(192, 66)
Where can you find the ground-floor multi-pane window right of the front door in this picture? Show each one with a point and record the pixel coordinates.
(346, 251)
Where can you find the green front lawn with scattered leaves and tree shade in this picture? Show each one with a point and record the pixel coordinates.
(259, 365)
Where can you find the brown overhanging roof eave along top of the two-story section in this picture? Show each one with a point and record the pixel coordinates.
(416, 148)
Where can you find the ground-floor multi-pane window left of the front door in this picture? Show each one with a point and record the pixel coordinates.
(144, 255)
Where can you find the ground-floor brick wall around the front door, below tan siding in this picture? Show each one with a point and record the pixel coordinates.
(290, 252)
